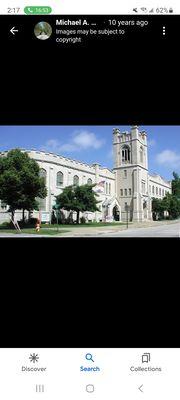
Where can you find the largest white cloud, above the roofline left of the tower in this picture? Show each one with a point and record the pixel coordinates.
(80, 140)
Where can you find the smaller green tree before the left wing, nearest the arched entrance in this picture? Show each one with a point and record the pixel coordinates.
(77, 198)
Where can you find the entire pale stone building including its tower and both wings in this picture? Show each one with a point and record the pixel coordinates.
(129, 186)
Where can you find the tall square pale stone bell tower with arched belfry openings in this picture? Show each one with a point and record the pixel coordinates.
(131, 169)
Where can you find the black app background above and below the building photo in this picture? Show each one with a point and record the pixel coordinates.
(88, 292)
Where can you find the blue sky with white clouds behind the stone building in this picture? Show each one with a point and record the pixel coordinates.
(94, 143)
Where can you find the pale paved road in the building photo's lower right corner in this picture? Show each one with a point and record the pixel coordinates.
(169, 230)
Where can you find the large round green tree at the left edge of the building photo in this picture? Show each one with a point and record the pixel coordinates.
(20, 183)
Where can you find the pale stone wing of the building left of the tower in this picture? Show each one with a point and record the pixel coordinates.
(60, 172)
